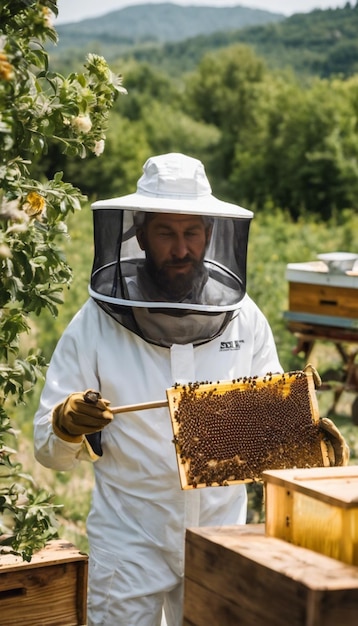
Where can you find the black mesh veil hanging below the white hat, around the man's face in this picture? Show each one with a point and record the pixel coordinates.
(124, 285)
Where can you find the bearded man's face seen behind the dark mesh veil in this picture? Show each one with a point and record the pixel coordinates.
(175, 246)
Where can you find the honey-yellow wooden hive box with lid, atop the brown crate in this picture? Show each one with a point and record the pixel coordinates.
(316, 508)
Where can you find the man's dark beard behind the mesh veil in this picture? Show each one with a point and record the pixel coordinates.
(180, 286)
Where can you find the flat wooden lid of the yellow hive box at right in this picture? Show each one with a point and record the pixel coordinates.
(337, 486)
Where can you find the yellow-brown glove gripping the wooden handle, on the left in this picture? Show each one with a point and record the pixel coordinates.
(80, 414)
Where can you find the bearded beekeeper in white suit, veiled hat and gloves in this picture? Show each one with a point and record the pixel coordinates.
(167, 304)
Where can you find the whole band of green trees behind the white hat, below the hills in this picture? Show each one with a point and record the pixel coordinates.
(263, 135)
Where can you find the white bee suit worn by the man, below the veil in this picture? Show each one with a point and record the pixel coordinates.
(139, 514)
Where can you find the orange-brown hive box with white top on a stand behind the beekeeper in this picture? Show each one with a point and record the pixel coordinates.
(318, 296)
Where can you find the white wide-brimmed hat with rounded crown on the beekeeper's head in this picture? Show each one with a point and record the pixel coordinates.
(174, 183)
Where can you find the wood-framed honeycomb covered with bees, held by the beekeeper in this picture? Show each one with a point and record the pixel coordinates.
(231, 432)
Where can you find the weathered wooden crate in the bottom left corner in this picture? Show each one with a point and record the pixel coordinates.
(51, 590)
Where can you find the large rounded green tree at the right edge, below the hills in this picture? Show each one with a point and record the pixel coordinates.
(304, 155)
